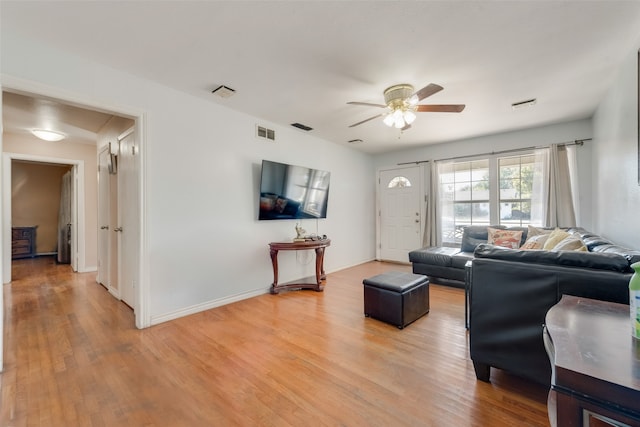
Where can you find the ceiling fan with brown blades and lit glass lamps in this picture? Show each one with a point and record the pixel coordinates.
(402, 104)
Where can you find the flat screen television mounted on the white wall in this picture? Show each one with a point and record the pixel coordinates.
(292, 192)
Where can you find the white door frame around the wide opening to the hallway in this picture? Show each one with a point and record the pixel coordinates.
(9, 83)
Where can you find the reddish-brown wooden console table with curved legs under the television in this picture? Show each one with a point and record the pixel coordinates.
(306, 283)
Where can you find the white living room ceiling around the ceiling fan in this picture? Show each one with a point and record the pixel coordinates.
(302, 61)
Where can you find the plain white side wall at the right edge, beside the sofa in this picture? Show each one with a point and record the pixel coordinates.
(616, 203)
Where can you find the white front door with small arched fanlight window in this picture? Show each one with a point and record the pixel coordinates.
(400, 217)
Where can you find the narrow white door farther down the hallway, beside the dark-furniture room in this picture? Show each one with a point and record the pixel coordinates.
(103, 219)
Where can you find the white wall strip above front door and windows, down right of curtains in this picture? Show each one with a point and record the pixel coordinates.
(541, 136)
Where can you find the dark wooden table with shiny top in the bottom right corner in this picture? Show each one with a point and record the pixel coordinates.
(595, 363)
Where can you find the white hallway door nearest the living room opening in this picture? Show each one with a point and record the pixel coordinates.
(128, 219)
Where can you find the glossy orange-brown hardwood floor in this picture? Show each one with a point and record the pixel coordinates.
(74, 358)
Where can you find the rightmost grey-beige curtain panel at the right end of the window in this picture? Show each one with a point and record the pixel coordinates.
(560, 206)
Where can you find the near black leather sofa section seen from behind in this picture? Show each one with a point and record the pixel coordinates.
(512, 290)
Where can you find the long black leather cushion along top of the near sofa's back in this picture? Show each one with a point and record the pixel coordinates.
(602, 261)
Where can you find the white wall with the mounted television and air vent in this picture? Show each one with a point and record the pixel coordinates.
(204, 242)
